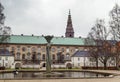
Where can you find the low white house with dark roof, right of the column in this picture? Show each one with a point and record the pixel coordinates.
(83, 59)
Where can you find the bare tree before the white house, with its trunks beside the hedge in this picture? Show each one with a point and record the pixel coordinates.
(99, 35)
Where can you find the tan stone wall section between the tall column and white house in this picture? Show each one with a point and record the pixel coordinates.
(66, 51)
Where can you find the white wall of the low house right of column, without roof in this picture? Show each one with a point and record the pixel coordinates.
(88, 61)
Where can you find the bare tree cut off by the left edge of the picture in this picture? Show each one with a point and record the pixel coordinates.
(4, 30)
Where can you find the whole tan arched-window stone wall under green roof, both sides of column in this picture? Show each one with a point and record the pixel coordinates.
(21, 51)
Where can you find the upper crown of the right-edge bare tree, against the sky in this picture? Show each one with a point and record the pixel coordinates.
(115, 22)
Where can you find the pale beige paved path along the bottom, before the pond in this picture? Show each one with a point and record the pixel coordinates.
(67, 80)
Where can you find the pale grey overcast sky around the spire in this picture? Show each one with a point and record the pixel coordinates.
(49, 17)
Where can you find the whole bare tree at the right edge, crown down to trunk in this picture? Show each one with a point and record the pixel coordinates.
(115, 30)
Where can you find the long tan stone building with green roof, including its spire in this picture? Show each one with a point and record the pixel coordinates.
(30, 51)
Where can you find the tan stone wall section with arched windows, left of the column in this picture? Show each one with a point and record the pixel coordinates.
(25, 49)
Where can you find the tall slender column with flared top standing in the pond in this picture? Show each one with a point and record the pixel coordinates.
(48, 59)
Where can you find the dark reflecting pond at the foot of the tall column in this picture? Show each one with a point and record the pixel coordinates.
(37, 75)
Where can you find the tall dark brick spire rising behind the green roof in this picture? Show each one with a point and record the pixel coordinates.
(69, 28)
